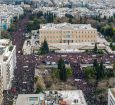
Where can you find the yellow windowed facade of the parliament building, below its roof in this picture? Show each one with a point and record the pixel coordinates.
(77, 36)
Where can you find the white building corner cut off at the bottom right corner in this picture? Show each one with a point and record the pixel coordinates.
(111, 96)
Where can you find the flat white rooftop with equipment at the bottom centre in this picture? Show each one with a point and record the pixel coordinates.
(68, 97)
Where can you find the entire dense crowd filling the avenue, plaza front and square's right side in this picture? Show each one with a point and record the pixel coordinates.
(24, 73)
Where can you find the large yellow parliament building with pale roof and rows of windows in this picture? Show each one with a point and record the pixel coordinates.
(67, 33)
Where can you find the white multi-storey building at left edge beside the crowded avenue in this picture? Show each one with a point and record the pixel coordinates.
(7, 62)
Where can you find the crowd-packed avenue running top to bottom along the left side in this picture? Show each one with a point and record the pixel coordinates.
(24, 73)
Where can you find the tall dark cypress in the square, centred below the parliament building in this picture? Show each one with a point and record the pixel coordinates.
(62, 70)
